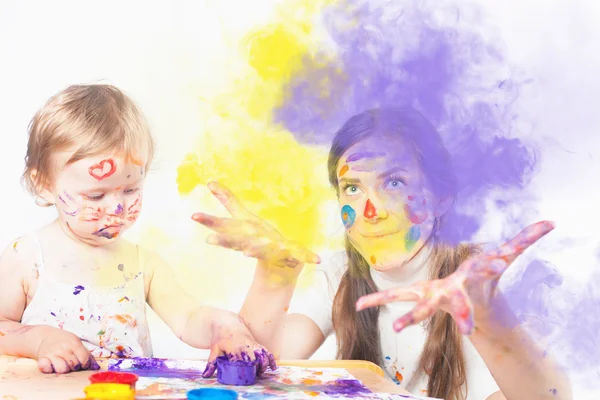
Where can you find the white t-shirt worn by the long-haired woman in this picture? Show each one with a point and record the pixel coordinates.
(401, 351)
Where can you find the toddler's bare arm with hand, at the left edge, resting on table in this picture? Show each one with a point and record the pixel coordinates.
(56, 350)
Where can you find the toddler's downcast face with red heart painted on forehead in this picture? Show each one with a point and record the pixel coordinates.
(98, 198)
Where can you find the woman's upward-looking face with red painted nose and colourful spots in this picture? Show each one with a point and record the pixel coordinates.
(386, 207)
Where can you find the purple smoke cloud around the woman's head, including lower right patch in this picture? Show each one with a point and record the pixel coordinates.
(438, 60)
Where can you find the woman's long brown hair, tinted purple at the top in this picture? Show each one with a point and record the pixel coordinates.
(358, 333)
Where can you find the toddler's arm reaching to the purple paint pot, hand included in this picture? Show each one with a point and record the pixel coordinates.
(204, 327)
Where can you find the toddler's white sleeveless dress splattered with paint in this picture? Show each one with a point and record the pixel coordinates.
(111, 321)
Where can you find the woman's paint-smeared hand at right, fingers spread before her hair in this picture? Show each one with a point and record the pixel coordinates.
(470, 288)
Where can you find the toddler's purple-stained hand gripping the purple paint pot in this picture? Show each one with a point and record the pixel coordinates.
(232, 338)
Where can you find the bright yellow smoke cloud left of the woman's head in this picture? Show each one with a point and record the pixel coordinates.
(273, 175)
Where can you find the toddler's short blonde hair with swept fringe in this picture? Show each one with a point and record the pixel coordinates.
(89, 119)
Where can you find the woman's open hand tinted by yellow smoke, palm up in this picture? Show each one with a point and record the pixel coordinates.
(254, 237)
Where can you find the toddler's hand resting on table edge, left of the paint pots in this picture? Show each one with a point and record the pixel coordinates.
(62, 352)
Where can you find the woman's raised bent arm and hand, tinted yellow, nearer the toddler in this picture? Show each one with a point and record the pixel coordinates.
(280, 262)
